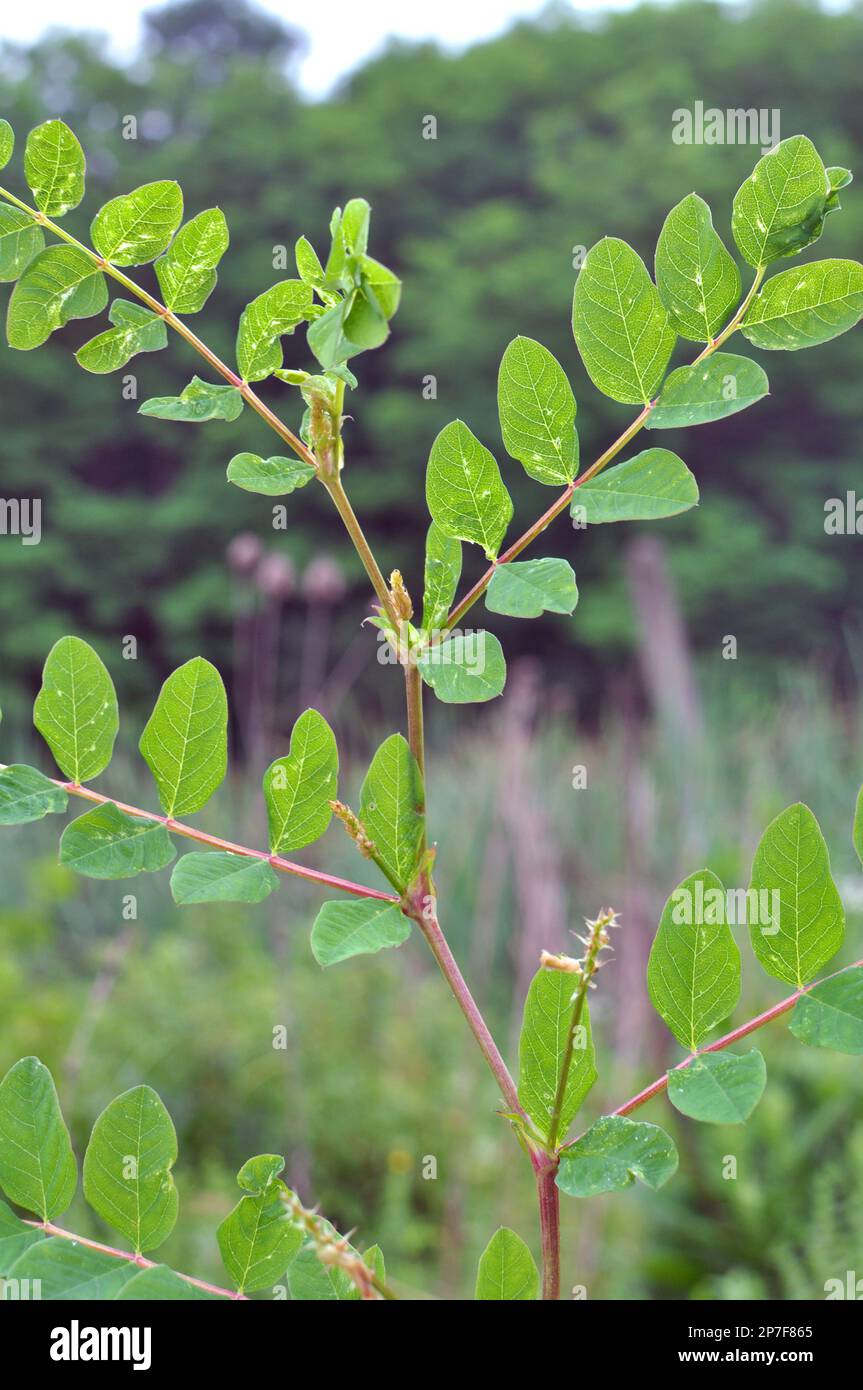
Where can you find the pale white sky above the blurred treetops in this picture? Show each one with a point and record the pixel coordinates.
(340, 37)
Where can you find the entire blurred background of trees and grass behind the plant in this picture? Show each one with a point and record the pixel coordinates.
(547, 138)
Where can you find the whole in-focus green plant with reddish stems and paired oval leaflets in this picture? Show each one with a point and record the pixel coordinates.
(626, 327)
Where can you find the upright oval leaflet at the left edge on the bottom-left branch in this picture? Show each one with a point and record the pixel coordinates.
(38, 1170)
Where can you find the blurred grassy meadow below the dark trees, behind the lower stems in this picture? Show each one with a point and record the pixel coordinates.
(379, 1074)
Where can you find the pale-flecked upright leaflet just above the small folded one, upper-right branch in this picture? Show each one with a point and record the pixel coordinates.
(465, 490)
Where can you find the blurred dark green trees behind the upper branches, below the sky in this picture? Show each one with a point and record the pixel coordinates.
(547, 140)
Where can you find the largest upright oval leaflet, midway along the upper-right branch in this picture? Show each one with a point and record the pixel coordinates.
(620, 325)
